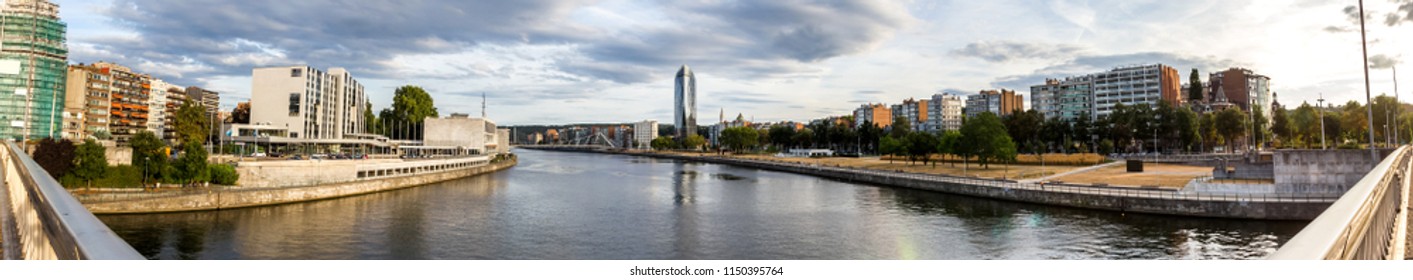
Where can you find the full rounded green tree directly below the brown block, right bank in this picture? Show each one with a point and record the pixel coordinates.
(987, 138)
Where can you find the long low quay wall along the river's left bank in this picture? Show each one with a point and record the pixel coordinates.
(261, 197)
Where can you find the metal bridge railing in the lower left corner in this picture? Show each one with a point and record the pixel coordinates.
(40, 220)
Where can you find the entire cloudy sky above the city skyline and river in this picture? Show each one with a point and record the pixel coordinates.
(543, 62)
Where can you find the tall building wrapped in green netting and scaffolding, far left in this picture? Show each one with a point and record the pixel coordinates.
(33, 70)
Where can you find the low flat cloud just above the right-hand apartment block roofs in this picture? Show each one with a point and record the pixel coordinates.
(1092, 64)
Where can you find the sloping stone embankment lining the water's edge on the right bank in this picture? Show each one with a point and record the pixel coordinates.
(1289, 207)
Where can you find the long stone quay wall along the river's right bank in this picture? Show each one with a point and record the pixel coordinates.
(995, 189)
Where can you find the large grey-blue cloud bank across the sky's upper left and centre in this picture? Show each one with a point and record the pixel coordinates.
(748, 39)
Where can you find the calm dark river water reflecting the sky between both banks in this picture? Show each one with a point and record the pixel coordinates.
(573, 206)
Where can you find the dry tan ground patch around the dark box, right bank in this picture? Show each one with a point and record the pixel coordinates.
(1168, 176)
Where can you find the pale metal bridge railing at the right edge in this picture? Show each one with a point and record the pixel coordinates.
(1361, 226)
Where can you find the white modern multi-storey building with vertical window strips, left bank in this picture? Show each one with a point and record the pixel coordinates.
(312, 104)
